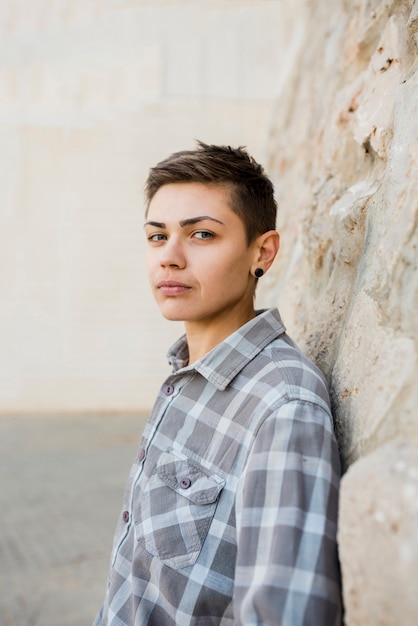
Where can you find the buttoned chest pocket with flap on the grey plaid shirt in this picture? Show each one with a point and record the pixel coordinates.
(175, 509)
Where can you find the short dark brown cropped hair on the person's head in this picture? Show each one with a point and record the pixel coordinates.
(251, 191)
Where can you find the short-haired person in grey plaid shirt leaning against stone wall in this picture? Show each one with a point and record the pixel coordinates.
(230, 511)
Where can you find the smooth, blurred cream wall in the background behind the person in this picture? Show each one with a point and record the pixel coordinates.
(92, 93)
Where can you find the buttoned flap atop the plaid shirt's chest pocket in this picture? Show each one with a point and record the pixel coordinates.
(189, 479)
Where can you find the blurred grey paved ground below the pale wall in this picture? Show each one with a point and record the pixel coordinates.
(61, 487)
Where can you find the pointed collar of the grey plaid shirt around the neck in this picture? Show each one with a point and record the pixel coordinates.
(226, 360)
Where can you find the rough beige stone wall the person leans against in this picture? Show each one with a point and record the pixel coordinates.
(344, 149)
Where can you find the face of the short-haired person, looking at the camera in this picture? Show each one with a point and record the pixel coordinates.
(199, 264)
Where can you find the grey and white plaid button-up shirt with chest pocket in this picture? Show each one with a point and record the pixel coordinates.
(230, 510)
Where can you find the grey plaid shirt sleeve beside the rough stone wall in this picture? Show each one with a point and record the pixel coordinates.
(287, 571)
